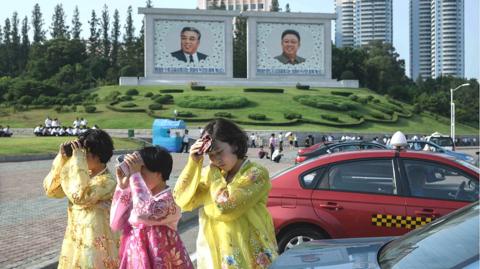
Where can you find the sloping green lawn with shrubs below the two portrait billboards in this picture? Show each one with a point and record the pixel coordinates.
(273, 105)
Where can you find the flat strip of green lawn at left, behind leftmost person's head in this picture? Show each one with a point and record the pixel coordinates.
(41, 145)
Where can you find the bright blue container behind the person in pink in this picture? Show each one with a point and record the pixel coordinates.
(162, 136)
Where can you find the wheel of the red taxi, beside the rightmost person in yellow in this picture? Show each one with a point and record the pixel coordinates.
(297, 235)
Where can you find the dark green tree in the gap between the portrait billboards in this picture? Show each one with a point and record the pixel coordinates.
(239, 48)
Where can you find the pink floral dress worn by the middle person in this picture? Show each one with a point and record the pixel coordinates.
(149, 224)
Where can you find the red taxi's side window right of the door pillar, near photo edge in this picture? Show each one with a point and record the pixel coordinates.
(438, 181)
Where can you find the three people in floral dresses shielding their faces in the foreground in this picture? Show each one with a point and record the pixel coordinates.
(230, 191)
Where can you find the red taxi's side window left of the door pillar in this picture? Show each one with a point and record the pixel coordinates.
(372, 176)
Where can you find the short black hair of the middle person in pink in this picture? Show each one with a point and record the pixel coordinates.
(157, 159)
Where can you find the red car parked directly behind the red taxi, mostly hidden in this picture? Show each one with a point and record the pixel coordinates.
(338, 146)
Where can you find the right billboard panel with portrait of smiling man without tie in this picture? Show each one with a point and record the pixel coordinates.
(290, 49)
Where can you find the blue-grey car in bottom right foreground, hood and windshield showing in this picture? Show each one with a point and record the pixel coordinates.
(449, 242)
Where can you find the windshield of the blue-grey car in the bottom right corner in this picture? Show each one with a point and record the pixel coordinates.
(451, 242)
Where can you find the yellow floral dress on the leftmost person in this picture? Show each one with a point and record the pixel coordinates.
(89, 242)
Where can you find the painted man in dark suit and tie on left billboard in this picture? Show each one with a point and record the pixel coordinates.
(189, 43)
